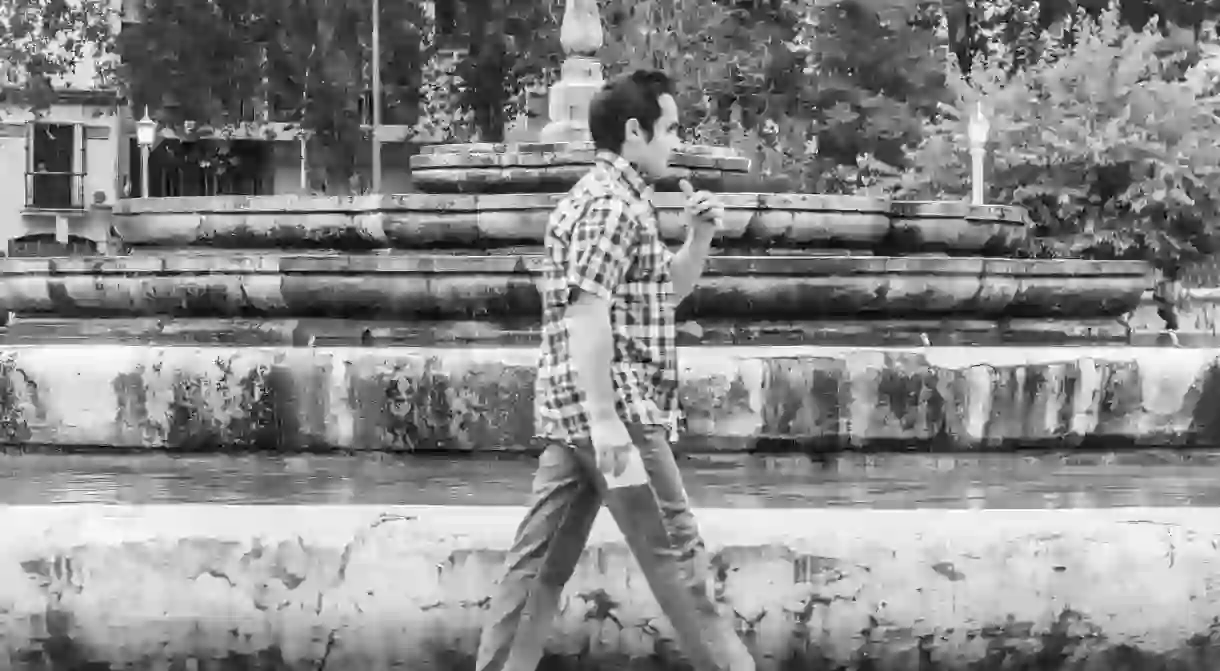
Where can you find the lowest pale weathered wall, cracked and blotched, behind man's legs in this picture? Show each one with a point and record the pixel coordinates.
(352, 587)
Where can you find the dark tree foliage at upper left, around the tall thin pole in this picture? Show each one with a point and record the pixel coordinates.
(218, 64)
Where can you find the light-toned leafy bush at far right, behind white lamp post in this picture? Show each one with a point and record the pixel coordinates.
(1101, 136)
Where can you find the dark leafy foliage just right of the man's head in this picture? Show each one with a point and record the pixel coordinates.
(790, 85)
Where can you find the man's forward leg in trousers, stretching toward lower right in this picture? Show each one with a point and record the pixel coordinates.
(661, 530)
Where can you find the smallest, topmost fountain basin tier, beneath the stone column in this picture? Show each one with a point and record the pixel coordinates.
(554, 168)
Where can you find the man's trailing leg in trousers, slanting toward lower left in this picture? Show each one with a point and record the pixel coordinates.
(550, 544)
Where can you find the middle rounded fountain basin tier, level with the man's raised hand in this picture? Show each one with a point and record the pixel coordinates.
(755, 224)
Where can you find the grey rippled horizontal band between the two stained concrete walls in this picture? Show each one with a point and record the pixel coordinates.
(1141, 479)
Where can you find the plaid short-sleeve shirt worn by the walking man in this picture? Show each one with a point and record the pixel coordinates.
(603, 239)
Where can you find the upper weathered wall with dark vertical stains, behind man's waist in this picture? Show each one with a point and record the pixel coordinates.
(481, 398)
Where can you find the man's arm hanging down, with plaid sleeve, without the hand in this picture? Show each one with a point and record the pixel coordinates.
(602, 249)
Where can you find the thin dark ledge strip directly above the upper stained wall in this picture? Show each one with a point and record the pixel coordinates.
(352, 332)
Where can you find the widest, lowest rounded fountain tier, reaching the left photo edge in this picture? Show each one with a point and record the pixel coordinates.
(440, 287)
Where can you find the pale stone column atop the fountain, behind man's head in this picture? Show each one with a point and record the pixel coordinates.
(580, 77)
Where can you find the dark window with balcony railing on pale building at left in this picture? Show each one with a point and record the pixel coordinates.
(56, 167)
